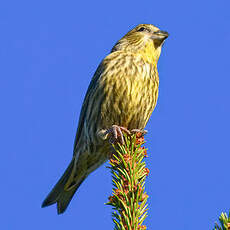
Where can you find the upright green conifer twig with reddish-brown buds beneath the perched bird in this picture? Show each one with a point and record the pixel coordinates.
(129, 199)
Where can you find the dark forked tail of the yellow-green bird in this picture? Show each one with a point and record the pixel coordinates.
(65, 188)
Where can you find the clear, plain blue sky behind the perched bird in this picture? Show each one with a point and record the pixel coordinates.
(48, 54)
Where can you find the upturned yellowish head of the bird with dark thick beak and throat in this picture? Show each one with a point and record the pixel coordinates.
(144, 39)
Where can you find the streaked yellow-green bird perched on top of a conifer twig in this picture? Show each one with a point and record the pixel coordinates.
(121, 97)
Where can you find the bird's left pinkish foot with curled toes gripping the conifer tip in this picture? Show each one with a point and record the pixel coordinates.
(115, 133)
